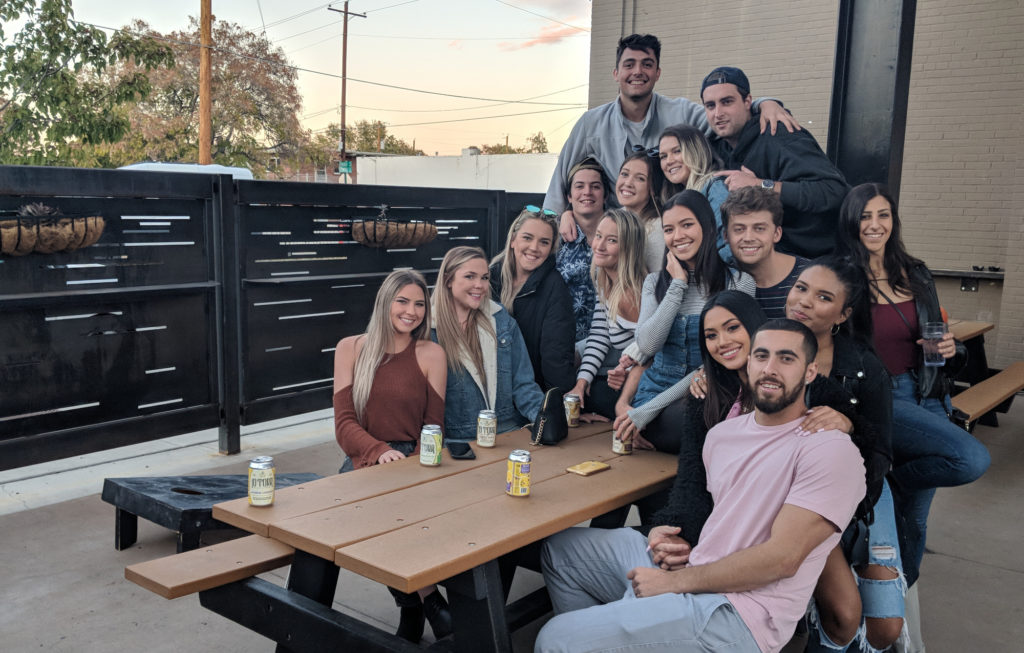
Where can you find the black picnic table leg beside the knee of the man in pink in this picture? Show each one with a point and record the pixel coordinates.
(478, 602)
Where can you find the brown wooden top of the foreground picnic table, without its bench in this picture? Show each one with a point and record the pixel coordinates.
(408, 526)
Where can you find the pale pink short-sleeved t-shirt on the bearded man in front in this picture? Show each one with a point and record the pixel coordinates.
(753, 470)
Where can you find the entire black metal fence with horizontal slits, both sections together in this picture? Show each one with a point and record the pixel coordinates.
(204, 302)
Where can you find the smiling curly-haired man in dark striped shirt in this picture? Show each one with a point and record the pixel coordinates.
(752, 220)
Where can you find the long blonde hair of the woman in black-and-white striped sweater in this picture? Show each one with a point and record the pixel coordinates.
(632, 268)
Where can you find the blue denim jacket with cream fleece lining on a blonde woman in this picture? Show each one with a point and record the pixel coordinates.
(519, 399)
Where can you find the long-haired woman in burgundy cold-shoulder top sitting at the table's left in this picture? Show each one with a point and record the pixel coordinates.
(388, 384)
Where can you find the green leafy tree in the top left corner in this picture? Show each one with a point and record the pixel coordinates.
(51, 97)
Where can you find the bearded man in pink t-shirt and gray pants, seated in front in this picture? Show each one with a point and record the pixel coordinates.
(782, 500)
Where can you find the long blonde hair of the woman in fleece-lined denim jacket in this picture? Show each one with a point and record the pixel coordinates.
(459, 343)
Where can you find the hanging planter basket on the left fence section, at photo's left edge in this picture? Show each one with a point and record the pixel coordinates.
(42, 230)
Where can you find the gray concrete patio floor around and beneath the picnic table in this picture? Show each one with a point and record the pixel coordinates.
(64, 587)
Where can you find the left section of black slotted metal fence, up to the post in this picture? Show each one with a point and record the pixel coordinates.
(121, 330)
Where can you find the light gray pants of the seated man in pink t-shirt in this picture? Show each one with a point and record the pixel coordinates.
(585, 571)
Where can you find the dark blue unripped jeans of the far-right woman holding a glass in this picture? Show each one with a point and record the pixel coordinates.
(929, 452)
